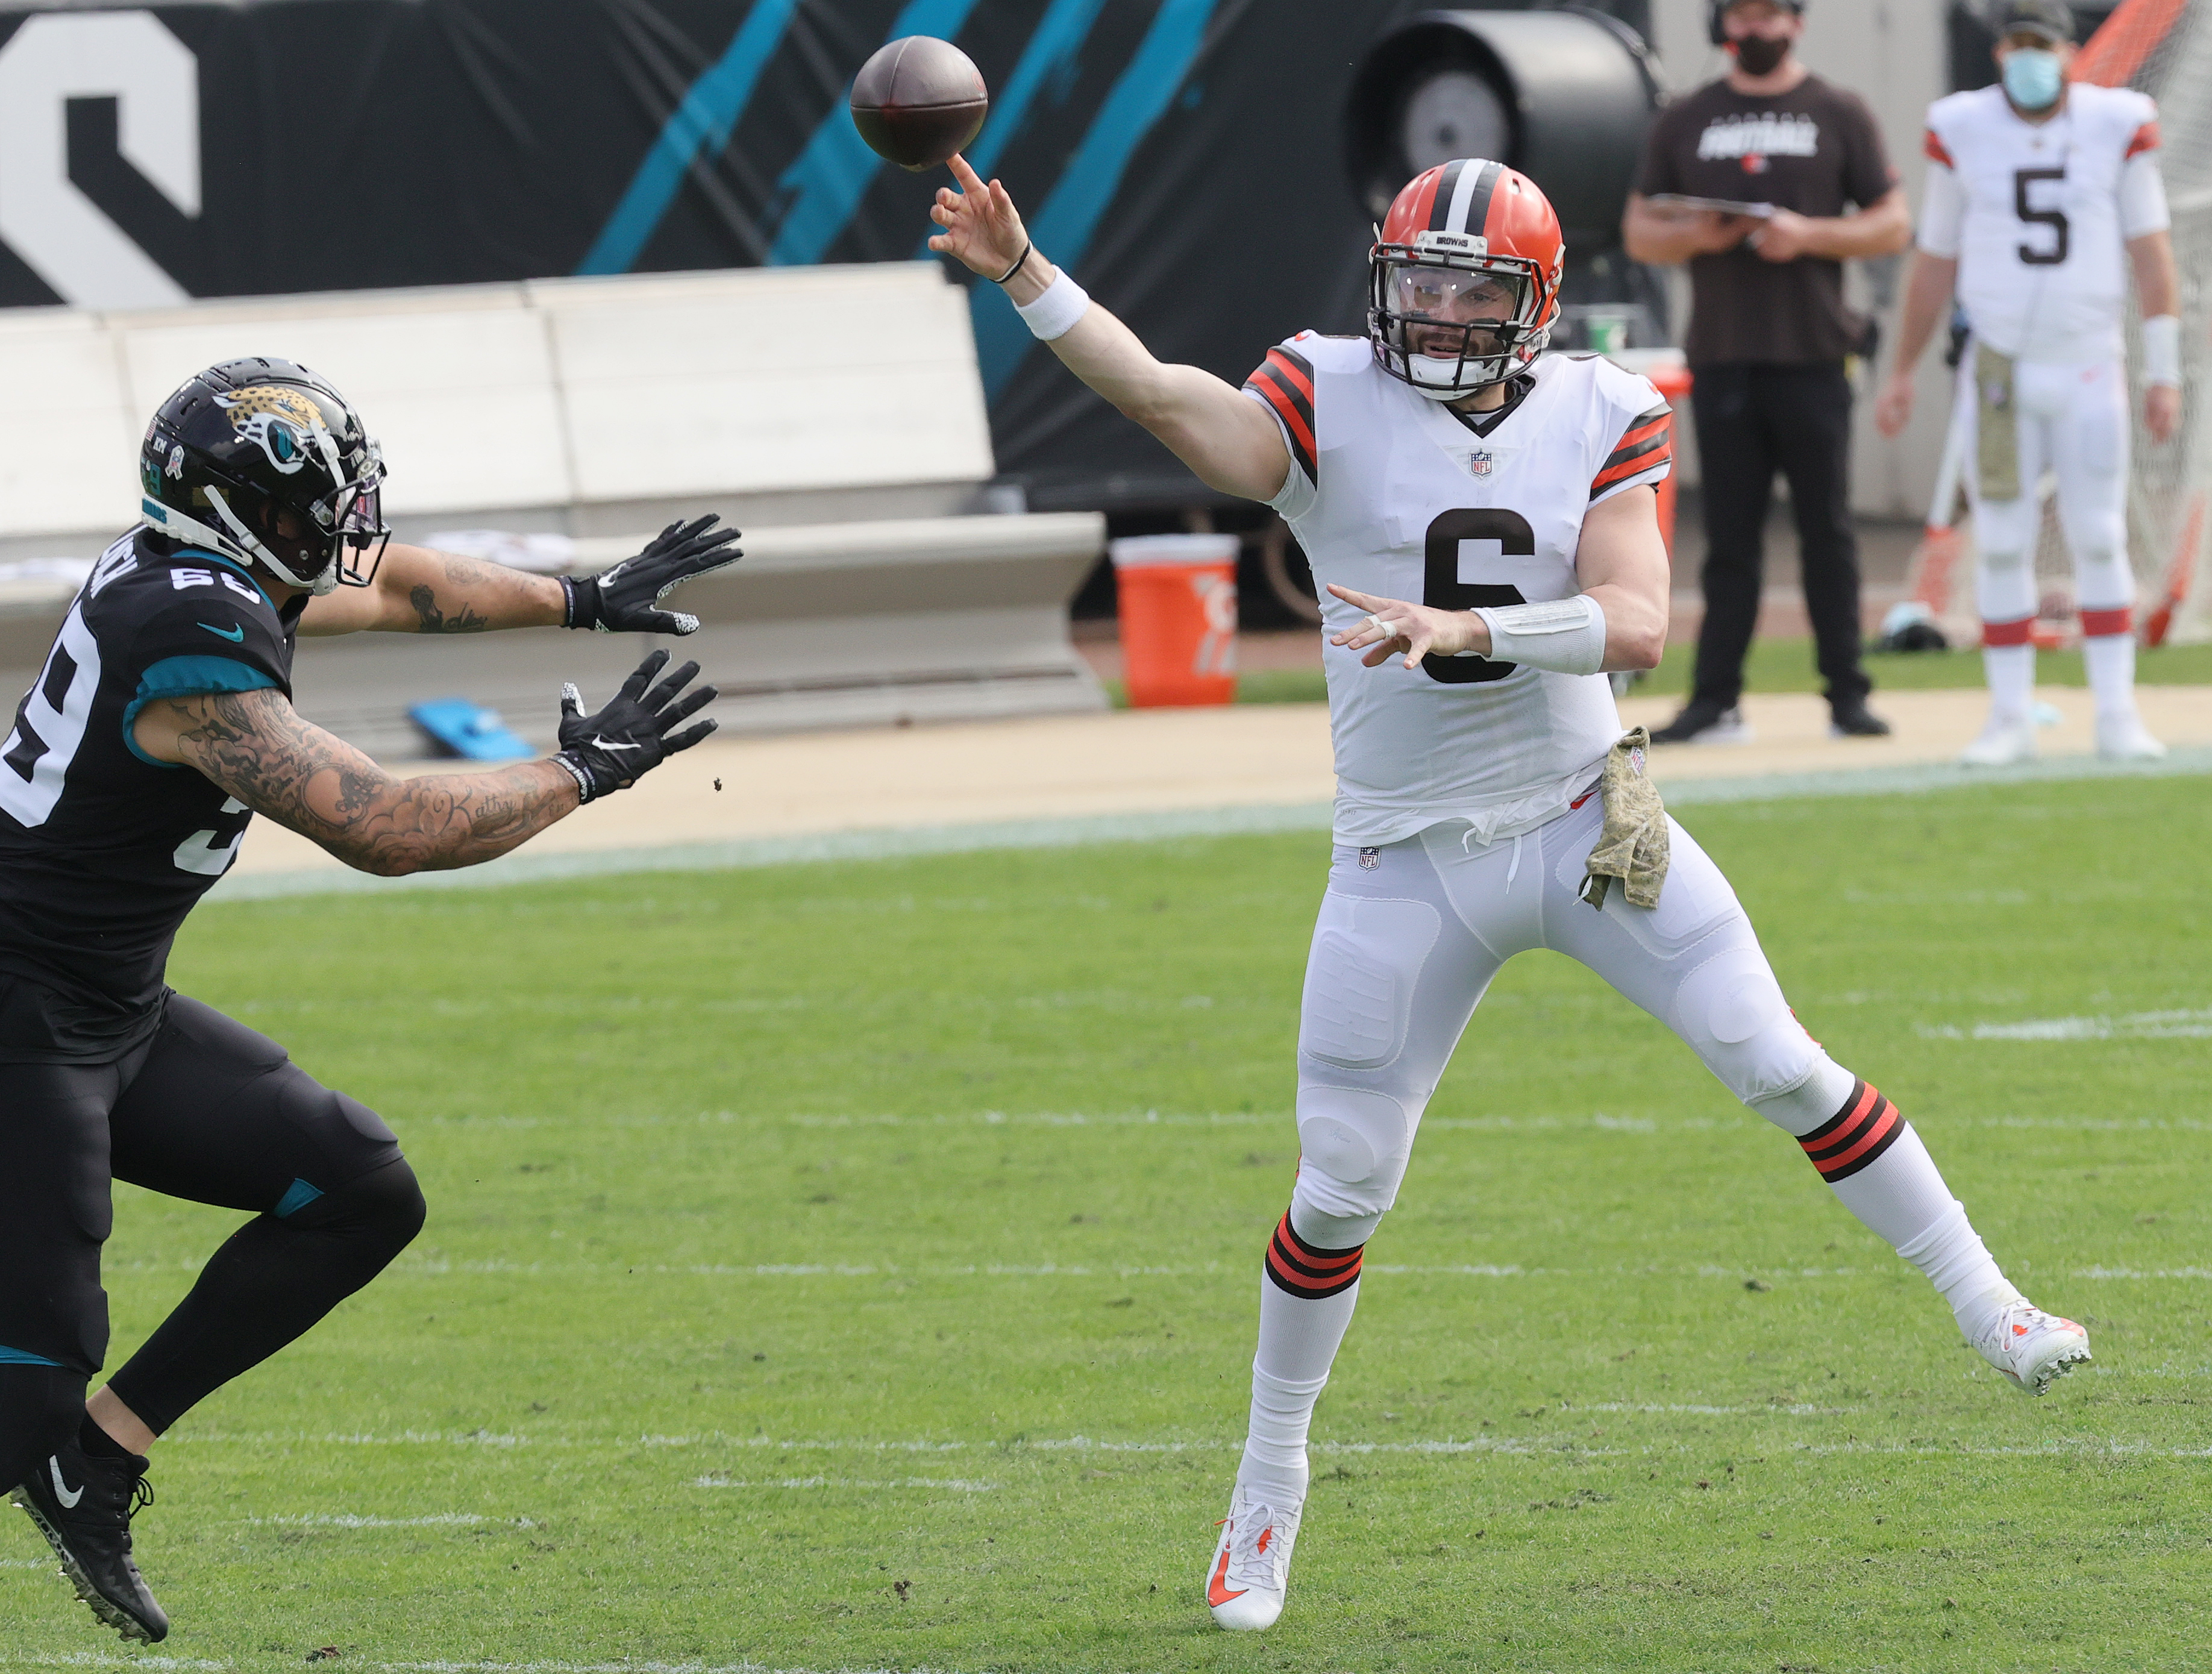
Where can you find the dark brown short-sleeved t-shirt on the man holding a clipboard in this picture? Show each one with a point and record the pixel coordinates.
(1813, 149)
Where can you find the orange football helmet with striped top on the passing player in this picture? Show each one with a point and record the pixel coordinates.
(1463, 284)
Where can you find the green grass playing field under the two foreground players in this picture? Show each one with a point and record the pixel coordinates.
(853, 1268)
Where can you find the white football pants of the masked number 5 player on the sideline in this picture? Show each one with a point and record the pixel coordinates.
(2074, 423)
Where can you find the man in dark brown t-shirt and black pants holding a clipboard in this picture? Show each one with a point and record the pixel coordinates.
(1768, 337)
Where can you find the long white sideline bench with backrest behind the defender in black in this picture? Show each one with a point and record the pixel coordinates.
(831, 412)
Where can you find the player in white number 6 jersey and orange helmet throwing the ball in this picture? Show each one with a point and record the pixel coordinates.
(1485, 525)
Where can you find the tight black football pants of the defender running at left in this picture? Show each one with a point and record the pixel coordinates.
(205, 1111)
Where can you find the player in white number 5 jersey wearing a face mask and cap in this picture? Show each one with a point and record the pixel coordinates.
(2041, 198)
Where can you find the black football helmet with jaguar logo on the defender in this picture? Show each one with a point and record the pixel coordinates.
(264, 463)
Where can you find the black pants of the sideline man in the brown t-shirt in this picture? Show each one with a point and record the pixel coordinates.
(1751, 423)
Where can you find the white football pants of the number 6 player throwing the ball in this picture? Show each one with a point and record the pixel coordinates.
(1412, 934)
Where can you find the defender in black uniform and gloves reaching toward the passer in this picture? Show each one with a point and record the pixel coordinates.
(158, 729)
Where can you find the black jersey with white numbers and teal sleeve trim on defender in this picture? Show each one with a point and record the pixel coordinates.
(103, 848)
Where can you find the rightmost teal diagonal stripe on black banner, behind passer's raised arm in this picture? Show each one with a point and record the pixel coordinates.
(1072, 216)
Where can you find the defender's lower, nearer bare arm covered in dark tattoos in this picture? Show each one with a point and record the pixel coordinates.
(260, 751)
